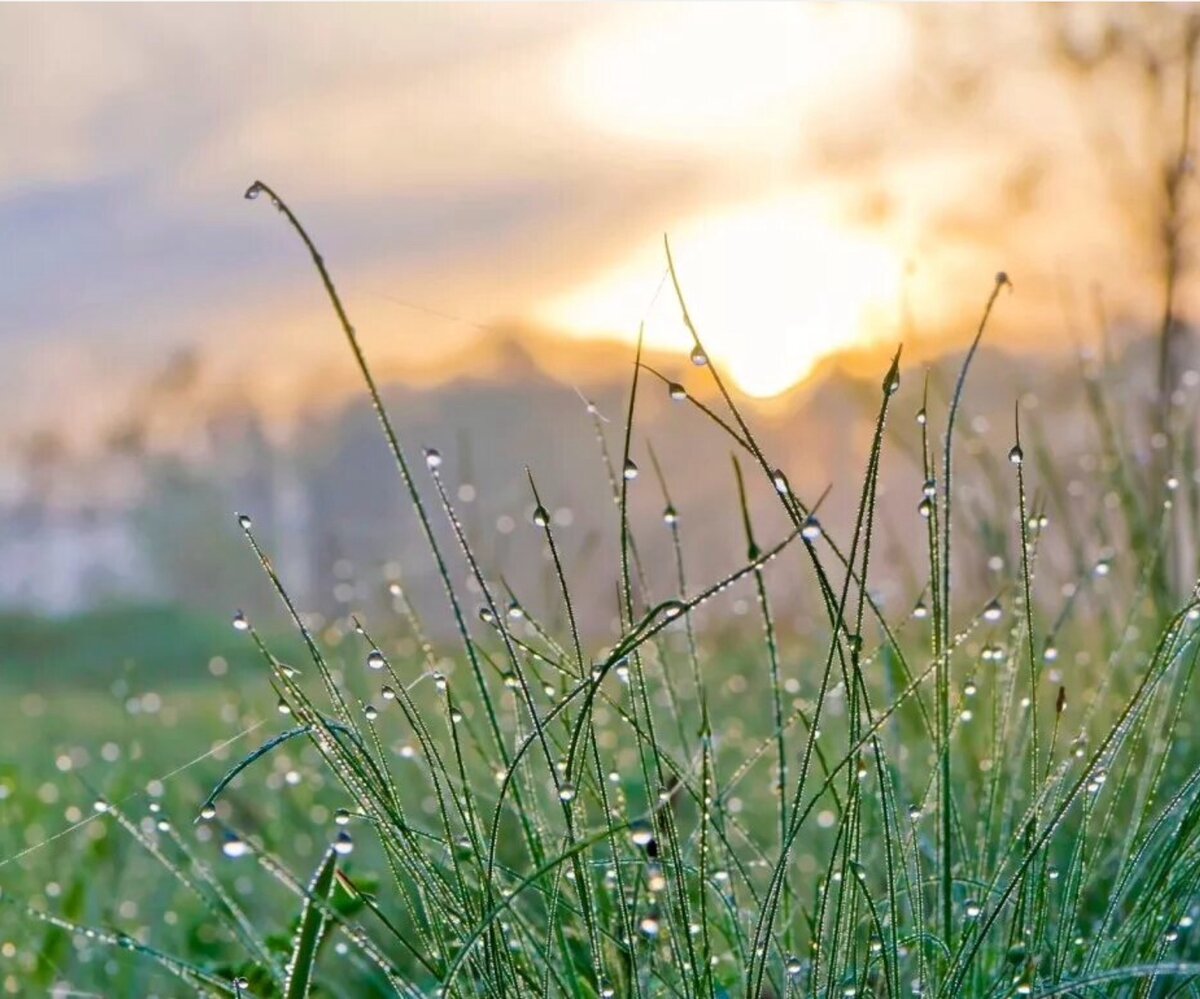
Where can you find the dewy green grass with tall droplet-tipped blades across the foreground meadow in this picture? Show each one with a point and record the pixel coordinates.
(980, 795)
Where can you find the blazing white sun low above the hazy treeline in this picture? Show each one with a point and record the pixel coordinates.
(772, 288)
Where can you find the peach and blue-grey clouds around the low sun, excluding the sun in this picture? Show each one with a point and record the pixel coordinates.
(485, 161)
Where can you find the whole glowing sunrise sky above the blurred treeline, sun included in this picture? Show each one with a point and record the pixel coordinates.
(831, 177)
